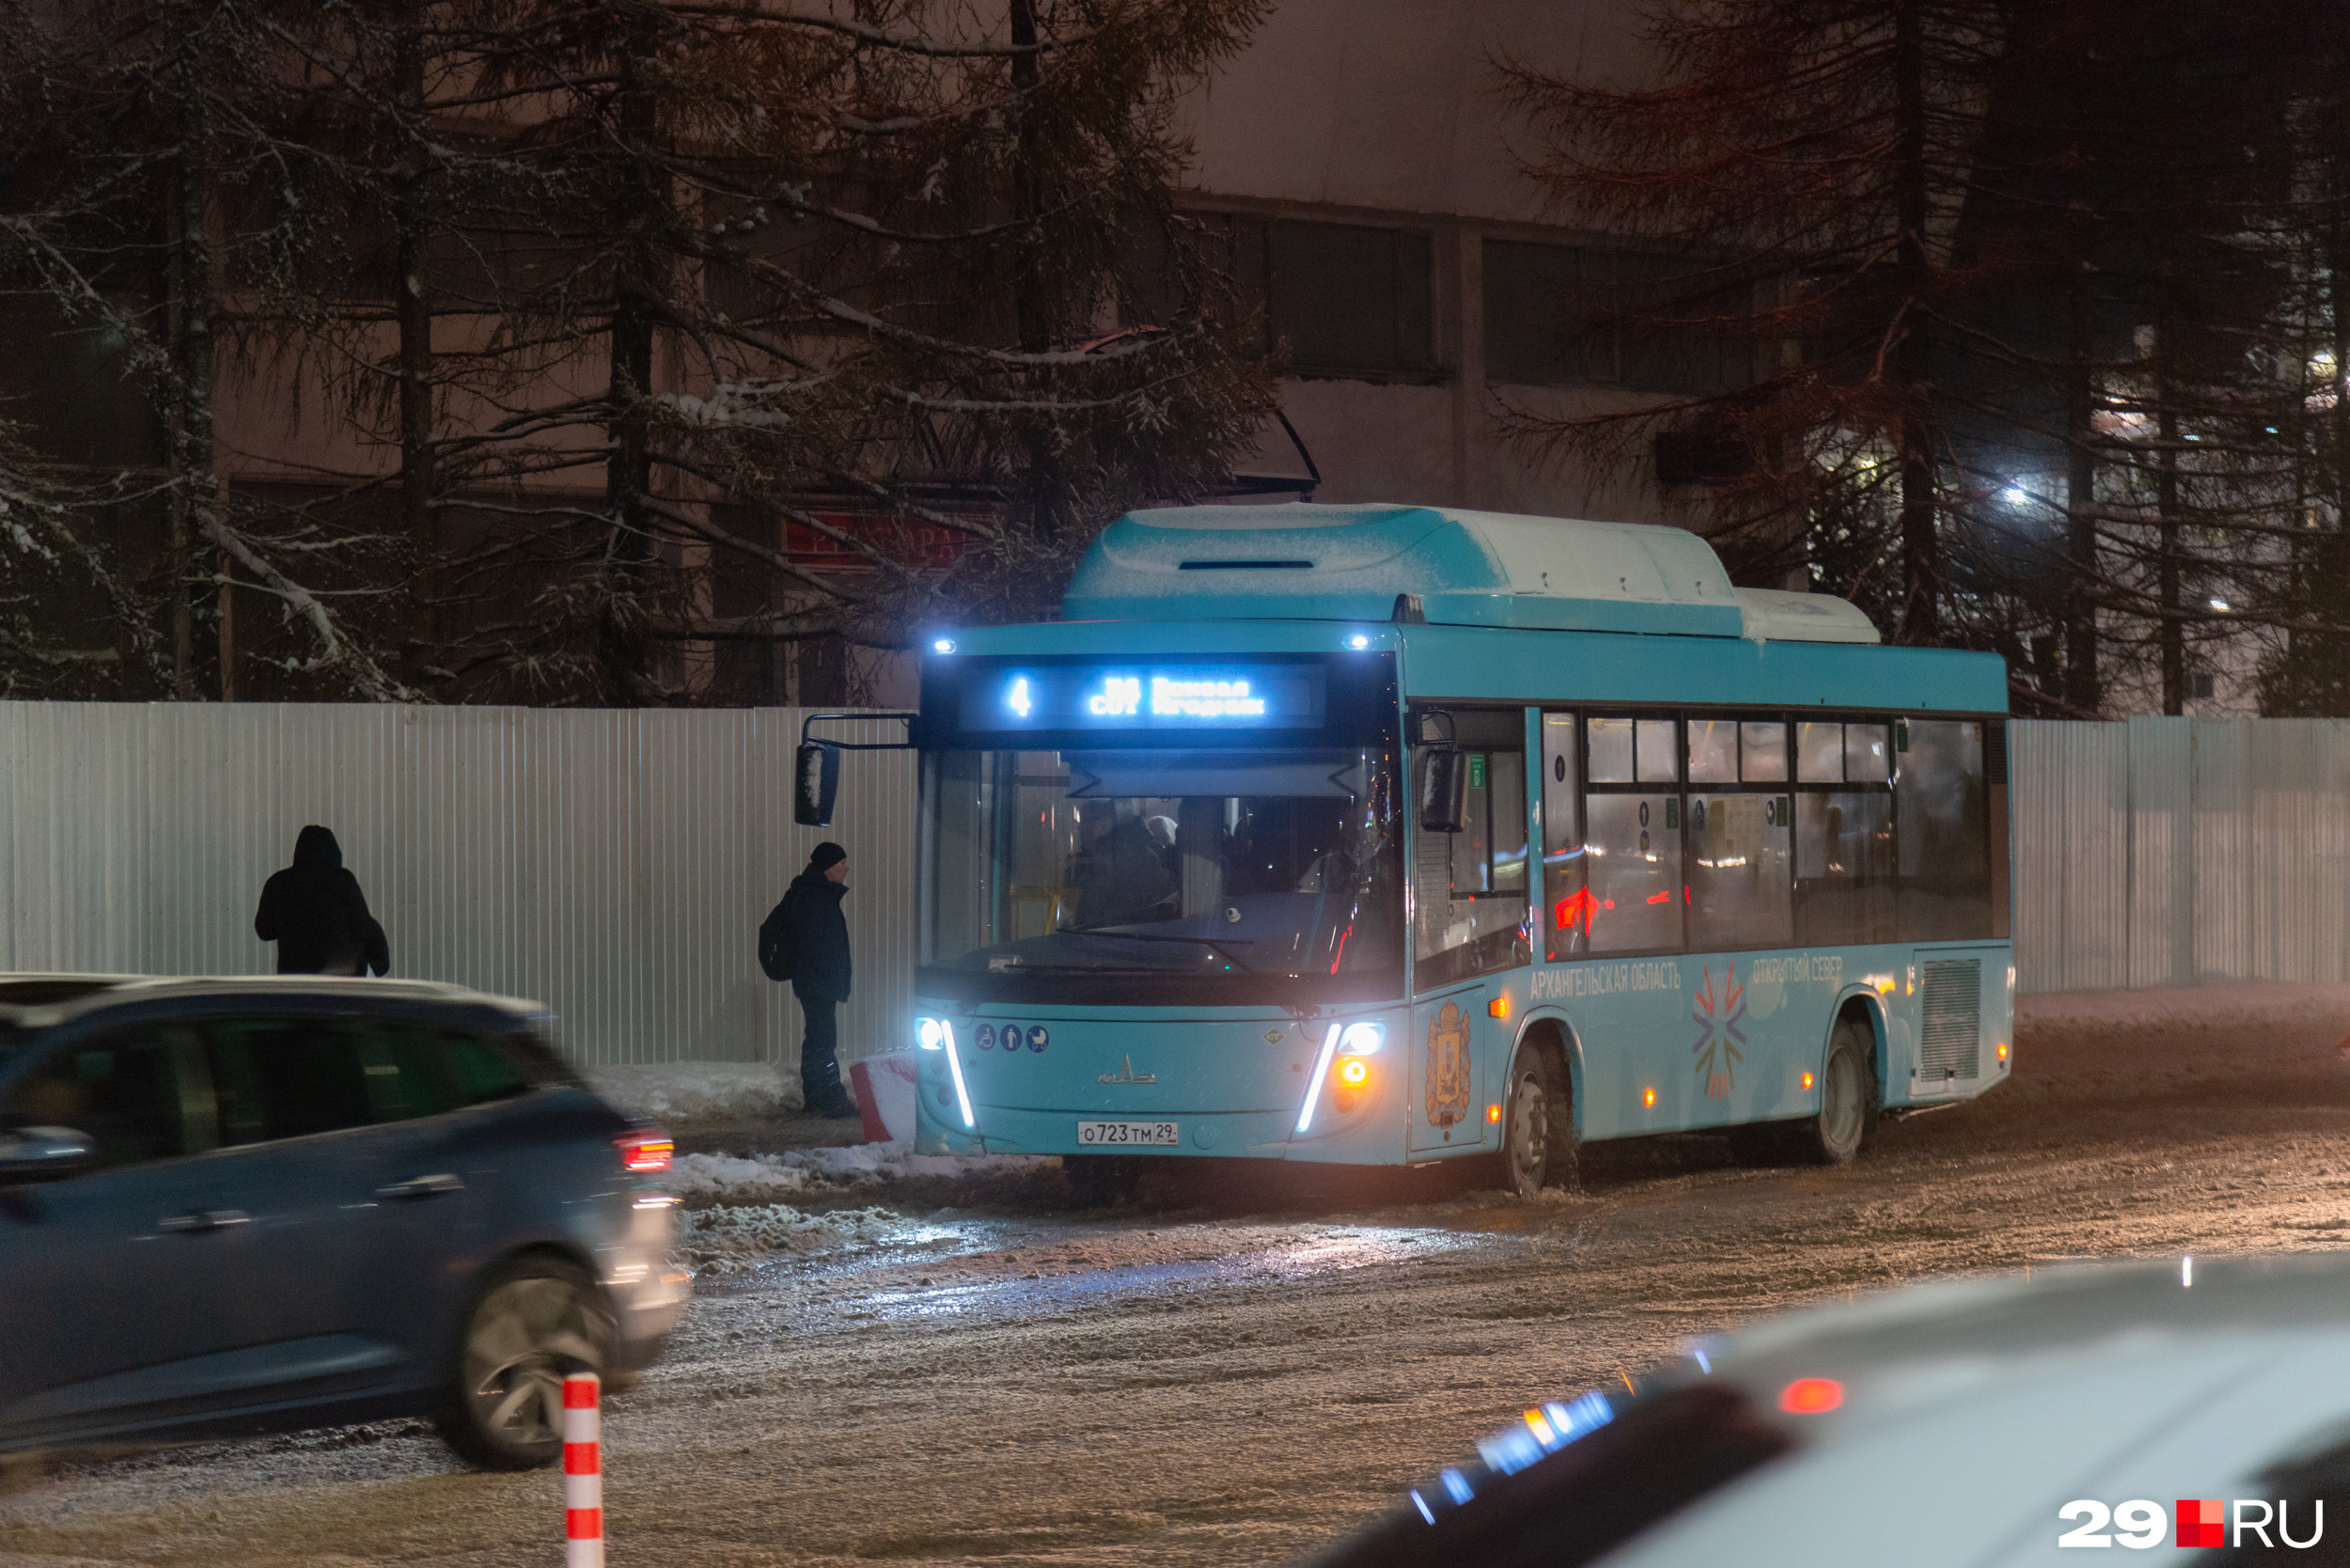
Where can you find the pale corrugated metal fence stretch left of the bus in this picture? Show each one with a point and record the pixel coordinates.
(610, 864)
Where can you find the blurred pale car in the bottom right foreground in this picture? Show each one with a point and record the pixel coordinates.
(2187, 1412)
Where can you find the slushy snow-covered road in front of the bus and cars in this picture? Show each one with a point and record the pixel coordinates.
(1021, 1383)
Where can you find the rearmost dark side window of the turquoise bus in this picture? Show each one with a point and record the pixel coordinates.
(1945, 831)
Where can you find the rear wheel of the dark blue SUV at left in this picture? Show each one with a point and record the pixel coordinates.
(535, 1322)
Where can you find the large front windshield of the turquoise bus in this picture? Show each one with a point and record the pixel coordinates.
(1052, 869)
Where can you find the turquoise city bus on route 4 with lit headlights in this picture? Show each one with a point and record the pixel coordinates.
(1388, 836)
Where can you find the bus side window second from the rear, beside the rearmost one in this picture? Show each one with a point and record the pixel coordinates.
(1844, 836)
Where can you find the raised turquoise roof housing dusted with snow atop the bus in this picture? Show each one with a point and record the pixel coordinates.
(1369, 563)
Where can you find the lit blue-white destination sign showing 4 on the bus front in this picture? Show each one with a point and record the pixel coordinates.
(1146, 697)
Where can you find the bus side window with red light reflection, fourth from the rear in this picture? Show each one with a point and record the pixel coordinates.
(1632, 838)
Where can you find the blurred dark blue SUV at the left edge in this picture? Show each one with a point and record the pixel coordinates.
(293, 1202)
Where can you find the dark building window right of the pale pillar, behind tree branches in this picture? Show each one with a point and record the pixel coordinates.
(1555, 316)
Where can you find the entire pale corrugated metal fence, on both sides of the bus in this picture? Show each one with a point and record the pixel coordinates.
(617, 864)
